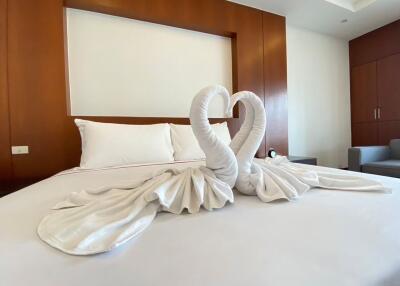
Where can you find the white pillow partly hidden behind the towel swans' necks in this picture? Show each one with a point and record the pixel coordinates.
(185, 143)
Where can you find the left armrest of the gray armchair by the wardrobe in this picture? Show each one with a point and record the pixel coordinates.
(362, 155)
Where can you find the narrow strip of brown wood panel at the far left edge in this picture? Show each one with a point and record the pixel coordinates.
(5, 146)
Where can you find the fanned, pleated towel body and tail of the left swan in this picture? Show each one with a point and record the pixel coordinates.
(91, 222)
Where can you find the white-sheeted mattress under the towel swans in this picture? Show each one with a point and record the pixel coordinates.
(325, 238)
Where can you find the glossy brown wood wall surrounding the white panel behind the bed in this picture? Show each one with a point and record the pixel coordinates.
(33, 94)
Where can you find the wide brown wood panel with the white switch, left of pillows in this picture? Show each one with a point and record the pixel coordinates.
(37, 86)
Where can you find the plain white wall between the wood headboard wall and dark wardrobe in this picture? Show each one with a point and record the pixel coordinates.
(319, 96)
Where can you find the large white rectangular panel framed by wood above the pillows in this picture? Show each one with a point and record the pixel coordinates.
(123, 67)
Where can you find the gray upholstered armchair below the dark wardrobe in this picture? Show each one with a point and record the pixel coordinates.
(380, 160)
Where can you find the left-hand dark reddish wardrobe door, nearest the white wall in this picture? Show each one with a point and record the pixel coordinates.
(363, 93)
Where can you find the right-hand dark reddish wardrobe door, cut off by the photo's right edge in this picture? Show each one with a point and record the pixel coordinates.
(389, 88)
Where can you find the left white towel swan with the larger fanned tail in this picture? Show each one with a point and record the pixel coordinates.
(95, 221)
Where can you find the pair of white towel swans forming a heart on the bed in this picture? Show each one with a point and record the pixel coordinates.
(95, 221)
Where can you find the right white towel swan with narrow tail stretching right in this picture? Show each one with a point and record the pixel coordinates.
(277, 178)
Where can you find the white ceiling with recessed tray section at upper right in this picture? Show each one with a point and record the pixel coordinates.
(325, 16)
